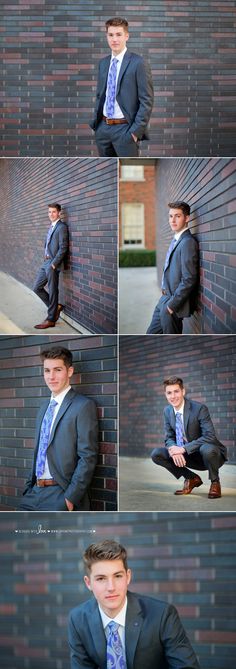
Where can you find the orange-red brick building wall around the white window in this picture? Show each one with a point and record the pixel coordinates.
(144, 192)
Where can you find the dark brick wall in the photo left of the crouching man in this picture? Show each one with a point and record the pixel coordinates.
(22, 391)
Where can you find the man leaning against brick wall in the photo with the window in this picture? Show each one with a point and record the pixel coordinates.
(180, 275)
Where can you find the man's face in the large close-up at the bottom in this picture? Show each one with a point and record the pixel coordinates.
(108, 580)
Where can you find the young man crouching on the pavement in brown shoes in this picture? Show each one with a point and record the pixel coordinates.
(190, 441)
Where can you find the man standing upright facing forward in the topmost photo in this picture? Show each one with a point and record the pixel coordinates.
(124, 97)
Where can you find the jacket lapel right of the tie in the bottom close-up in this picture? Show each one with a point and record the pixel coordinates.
(133, 625)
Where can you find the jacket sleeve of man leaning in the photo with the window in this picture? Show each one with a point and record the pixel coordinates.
(189, 274)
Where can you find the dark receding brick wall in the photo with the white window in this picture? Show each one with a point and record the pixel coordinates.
(209, 185)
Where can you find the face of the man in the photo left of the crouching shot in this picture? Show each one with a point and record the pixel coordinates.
(57, 375)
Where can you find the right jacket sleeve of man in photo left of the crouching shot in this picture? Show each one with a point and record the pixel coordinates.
(87, 451)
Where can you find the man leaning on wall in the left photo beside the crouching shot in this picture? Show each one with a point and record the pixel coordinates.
(66, 442)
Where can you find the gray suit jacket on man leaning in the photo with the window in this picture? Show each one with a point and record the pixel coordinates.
(182, 275)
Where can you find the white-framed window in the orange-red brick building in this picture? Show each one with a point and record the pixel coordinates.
(132, 225)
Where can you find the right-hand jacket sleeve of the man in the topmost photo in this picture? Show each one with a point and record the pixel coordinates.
(145, 96)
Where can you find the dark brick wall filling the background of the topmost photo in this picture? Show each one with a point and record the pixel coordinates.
(50, 56)
